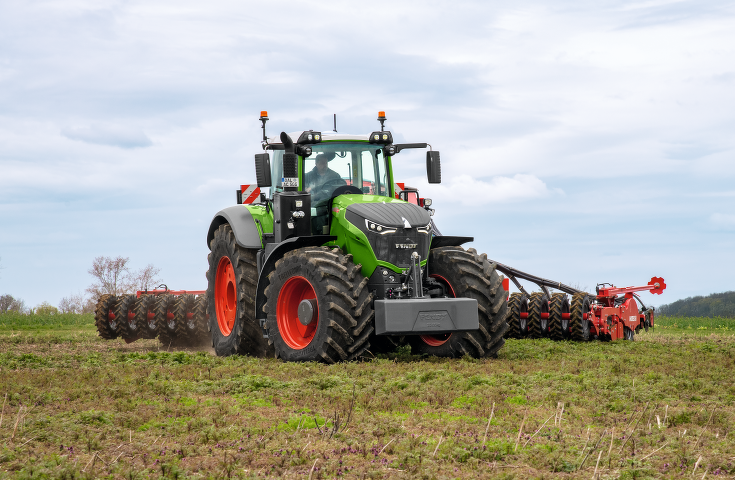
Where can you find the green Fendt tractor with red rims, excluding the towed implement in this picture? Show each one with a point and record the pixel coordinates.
(330, 266)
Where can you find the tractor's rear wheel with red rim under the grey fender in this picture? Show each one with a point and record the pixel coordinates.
(236, 331)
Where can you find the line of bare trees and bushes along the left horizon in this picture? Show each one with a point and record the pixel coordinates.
(111, 275)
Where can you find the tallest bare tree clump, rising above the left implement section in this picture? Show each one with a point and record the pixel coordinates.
(113, 276)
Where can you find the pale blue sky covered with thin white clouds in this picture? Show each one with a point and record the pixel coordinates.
(583, 142)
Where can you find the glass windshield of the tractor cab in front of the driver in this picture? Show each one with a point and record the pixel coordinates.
(333, 165)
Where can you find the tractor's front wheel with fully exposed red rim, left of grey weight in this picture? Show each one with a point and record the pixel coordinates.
(342, 318)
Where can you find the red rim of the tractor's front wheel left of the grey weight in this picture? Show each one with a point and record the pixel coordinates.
(294, 333)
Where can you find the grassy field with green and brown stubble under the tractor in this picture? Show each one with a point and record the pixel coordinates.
(79, 407)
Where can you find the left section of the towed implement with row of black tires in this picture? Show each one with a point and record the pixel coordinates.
(175, 317)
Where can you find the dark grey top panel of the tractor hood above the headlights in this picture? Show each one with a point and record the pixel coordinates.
(392, 215)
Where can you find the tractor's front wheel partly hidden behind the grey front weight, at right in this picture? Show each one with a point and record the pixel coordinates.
(468, 275)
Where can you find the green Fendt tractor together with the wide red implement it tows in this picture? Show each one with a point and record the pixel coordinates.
(338, 261)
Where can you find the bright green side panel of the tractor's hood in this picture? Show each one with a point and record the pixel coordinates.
(352, 240)
